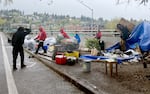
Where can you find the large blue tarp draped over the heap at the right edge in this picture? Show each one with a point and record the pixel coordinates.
(140, 36)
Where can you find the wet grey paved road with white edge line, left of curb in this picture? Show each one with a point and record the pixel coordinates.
(36, 78)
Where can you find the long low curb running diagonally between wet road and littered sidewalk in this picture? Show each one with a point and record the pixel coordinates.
(87, 88)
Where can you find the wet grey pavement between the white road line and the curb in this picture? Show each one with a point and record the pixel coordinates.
(39, 79)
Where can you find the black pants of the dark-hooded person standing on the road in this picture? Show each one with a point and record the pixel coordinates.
(15, 52)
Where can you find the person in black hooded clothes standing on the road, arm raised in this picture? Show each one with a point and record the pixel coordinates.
(17, 43)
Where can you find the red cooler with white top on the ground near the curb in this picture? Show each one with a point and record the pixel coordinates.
(61, 59)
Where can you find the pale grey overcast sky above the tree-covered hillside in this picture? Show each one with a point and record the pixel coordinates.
(107, 9)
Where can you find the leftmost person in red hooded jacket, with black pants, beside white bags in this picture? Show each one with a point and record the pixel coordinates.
(41, 38)
